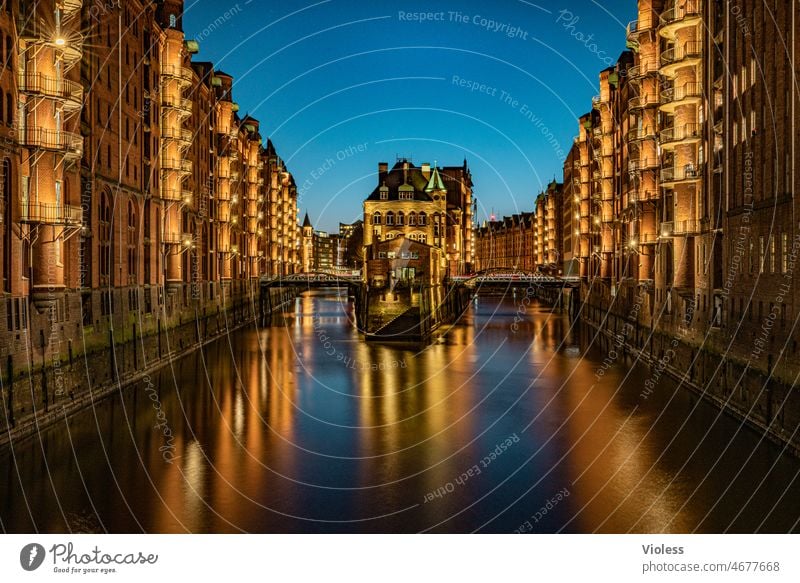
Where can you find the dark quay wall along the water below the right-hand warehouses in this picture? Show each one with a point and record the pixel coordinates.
(759, 398)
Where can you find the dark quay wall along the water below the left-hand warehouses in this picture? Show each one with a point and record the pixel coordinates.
(35, 397)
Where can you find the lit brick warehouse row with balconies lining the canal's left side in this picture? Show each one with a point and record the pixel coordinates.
(129, 184)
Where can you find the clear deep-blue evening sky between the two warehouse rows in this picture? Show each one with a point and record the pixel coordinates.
(340, 85)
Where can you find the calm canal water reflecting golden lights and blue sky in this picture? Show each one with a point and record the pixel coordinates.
(301, 427)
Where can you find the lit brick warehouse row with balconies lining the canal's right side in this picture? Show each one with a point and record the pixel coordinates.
(684, 204)
